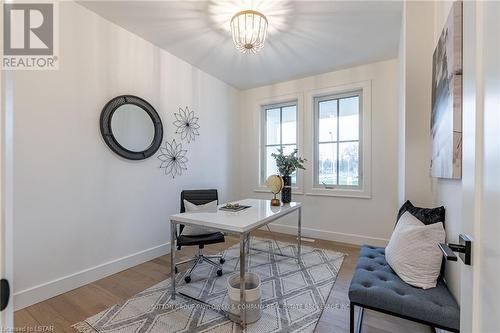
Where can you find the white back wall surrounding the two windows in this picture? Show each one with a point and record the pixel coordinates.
(343, 219)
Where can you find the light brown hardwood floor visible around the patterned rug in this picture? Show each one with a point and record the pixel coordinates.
(62, 311)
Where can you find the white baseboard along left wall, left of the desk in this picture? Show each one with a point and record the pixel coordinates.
(41, 292)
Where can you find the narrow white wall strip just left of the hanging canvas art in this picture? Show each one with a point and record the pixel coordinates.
(418, 48)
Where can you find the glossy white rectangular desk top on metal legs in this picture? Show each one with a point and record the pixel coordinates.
(260, 213)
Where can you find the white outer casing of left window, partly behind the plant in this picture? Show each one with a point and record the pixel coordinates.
(262, 106)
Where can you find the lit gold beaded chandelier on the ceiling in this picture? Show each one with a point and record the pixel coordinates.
(249, 28)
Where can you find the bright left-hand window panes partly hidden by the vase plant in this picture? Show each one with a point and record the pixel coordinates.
(279, 130)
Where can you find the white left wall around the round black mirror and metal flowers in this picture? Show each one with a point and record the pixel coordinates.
(81, 212)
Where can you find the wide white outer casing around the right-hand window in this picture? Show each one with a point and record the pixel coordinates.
(363, 90)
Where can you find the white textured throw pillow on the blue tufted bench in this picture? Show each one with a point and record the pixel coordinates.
(413, 251)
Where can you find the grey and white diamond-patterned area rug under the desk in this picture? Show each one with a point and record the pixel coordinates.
(293, 296)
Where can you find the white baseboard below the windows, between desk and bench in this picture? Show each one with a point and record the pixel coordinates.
(330, 235)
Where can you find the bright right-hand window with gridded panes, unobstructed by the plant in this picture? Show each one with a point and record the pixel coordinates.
(337, 141)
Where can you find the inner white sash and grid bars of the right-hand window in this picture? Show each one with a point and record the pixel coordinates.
(316, 142)
